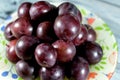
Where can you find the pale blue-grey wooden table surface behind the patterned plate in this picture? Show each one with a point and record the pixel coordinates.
(108, 10)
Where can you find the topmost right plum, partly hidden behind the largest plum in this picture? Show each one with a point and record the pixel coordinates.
(69, 8)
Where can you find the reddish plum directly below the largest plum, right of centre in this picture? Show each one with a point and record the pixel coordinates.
(65, 50)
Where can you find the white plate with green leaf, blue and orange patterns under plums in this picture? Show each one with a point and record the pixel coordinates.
(101, 71)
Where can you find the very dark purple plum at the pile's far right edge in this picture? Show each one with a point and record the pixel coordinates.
(91, 51)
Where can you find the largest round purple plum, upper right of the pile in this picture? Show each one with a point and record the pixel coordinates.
(66, 27)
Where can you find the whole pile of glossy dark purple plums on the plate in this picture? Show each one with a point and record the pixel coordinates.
(51, 42)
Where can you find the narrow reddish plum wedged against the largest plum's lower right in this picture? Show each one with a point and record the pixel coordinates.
(81, 37)
